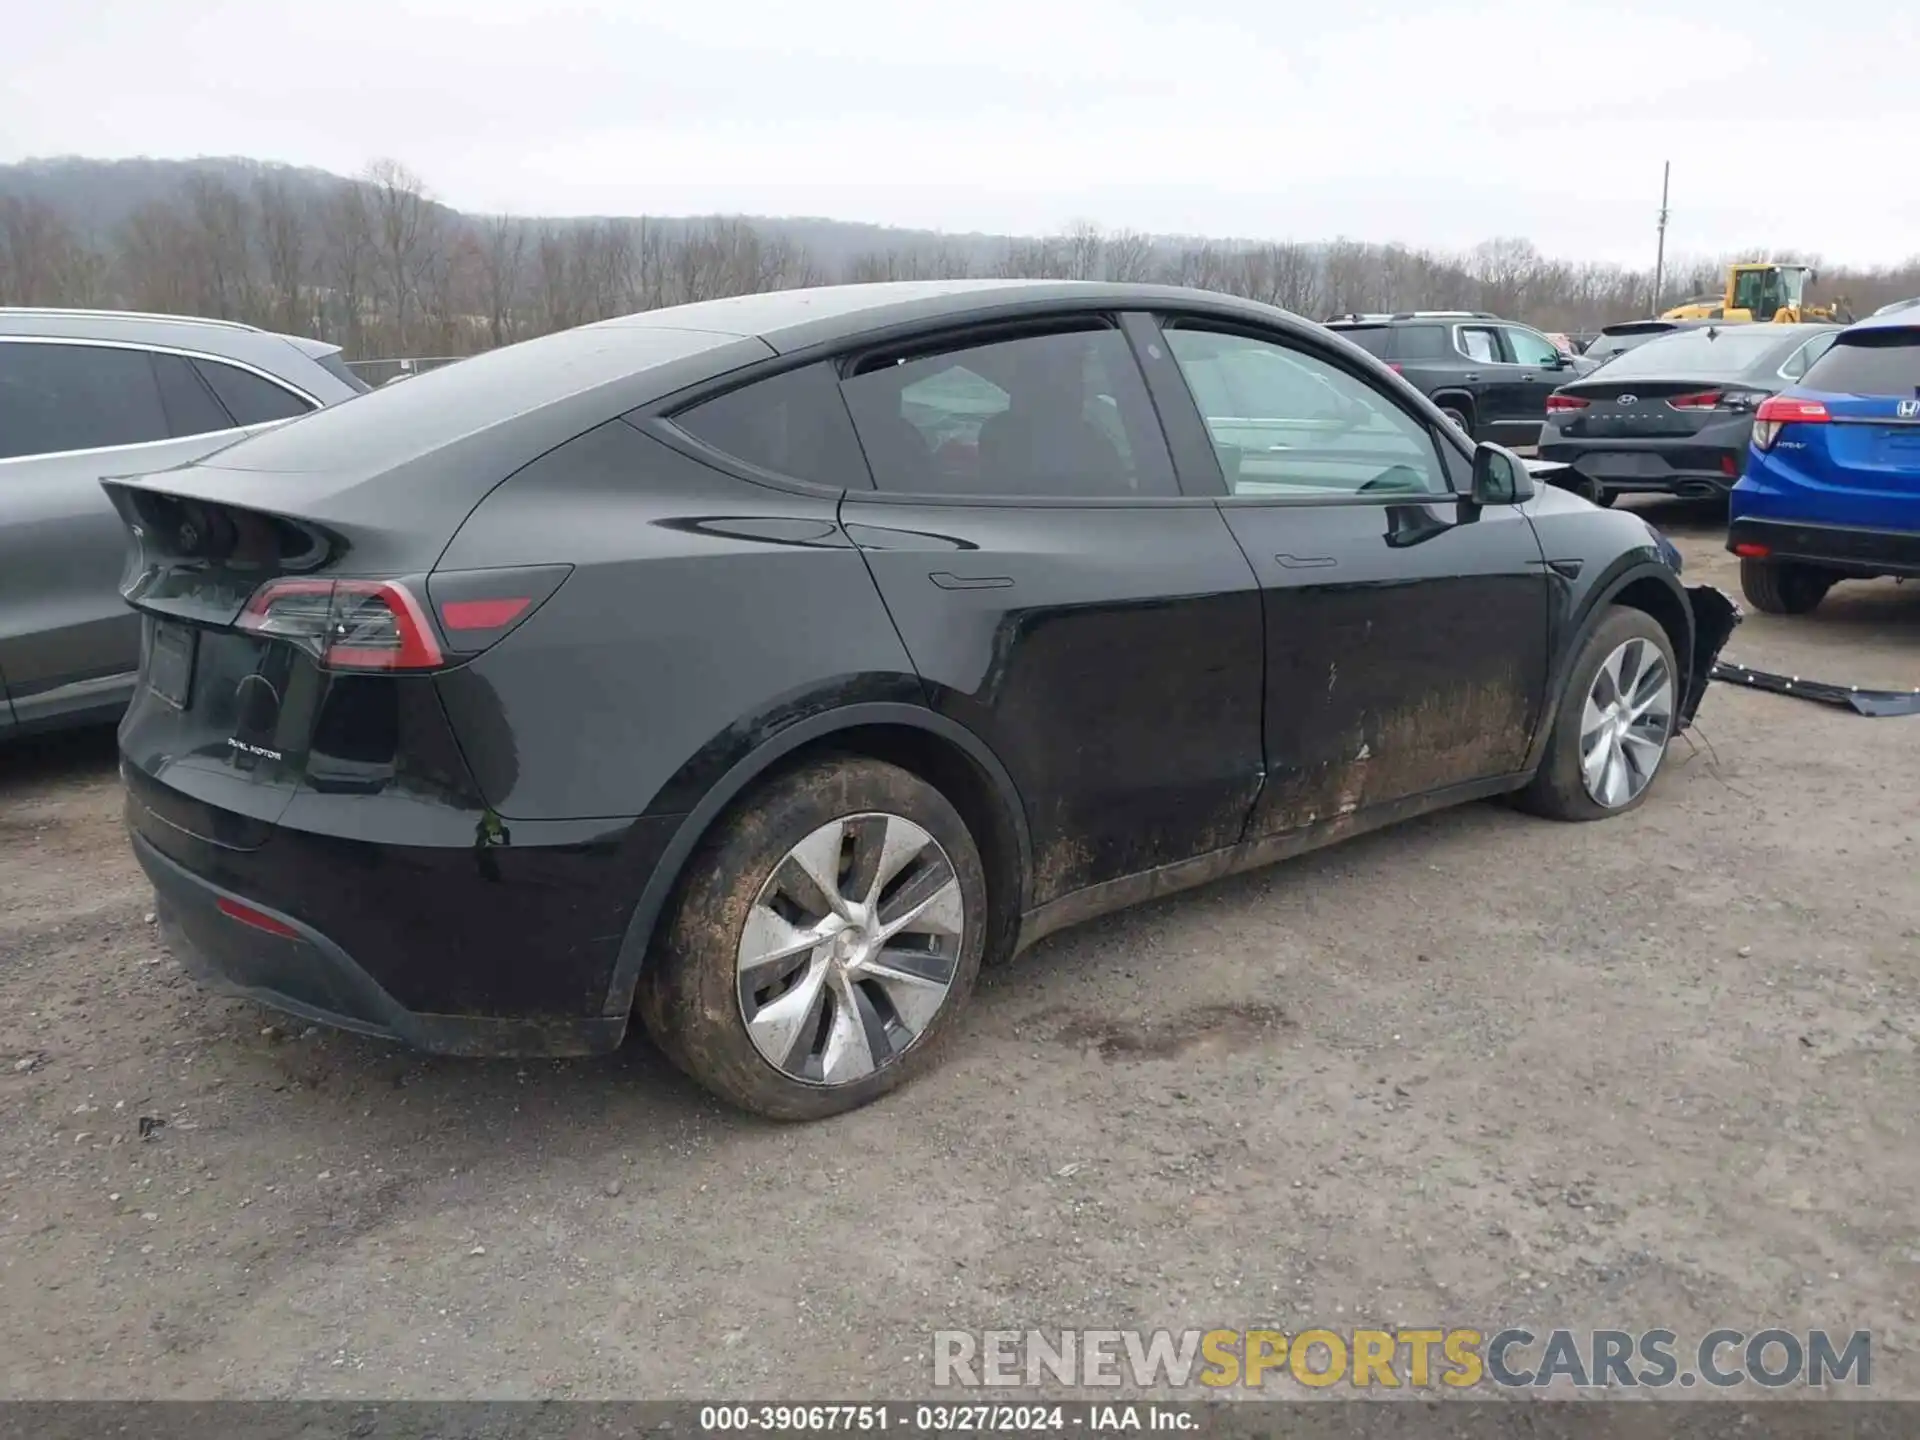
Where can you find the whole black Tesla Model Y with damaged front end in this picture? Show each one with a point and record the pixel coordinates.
(769, 665)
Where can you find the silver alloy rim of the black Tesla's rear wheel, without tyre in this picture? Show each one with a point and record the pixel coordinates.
(850, 949)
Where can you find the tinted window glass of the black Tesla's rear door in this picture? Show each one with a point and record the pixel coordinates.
(1042, 416)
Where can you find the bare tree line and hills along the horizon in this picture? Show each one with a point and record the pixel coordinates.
(379, 268)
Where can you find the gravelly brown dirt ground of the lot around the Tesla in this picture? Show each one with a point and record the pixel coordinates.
(1476, 1070)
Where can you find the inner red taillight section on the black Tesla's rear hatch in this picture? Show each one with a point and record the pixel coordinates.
(347, 625)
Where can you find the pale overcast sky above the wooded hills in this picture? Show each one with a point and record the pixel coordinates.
(1429, 122)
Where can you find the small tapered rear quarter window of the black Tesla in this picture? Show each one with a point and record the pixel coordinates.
(792, 423)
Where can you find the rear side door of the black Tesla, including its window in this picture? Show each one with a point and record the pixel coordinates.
(1059, 594)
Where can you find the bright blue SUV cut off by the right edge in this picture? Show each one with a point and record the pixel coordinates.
(1833, 485)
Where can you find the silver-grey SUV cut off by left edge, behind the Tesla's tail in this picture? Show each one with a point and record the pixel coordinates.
(91, 395)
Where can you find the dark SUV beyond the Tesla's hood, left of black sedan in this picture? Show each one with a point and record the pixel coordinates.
(1491, 377)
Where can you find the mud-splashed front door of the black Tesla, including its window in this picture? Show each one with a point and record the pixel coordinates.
(1406, 631)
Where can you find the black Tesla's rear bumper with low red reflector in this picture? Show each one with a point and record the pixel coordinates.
(502, 949)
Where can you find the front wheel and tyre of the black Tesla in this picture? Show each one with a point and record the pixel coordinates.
(1614, 723)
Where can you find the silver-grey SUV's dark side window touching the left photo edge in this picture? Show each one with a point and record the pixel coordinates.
(62, 396)
